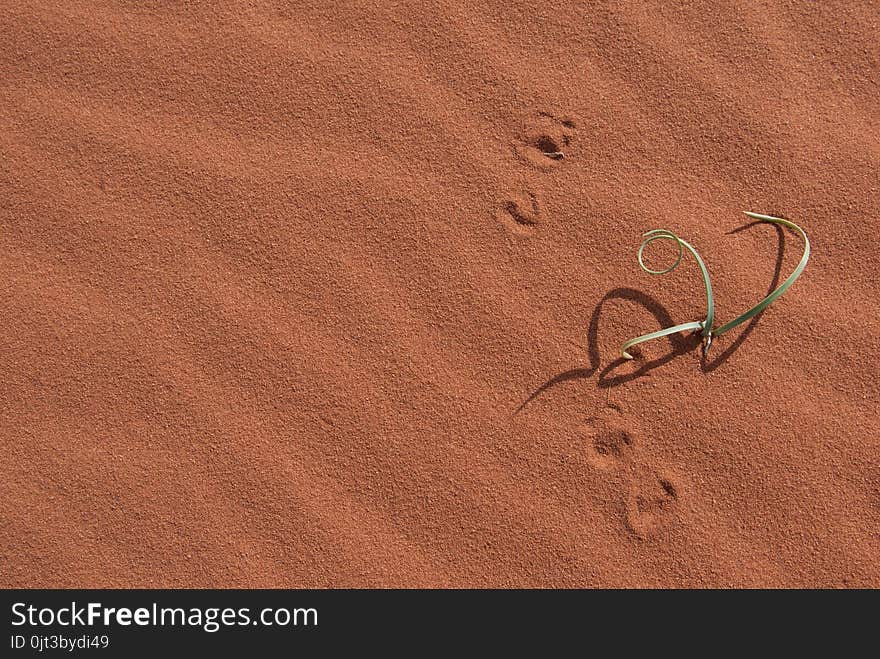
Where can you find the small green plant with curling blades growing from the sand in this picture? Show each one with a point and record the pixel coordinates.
(706, 326)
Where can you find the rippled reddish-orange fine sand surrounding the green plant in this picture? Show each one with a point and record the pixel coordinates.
(291, 295)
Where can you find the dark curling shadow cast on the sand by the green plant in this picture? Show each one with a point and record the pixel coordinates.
(679, 344)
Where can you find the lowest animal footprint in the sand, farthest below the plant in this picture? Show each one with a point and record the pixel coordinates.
(651, 503)
